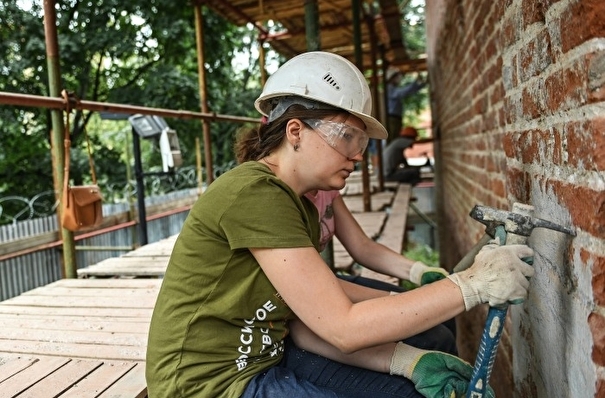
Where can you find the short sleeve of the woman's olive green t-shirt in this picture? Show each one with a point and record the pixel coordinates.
(267, 214)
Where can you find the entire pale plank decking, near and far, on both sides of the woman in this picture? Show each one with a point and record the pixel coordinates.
(87, 337)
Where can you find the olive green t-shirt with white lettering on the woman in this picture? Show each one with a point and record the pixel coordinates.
(218, 321)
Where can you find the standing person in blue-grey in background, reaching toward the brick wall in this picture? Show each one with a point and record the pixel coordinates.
(396, 94)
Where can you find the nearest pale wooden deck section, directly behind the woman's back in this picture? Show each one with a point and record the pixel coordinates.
(77, 338)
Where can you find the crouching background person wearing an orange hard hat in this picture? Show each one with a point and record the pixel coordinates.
(395, 166)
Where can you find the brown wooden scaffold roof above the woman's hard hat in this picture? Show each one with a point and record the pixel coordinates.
(380, 26)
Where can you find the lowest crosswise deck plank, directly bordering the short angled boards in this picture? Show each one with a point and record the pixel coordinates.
(74, 350)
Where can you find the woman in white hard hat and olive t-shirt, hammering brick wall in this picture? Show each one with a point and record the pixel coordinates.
(245, 268)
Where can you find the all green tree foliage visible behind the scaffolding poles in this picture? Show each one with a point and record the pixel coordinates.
(140, 52)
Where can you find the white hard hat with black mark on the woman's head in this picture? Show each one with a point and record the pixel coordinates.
(327, 78)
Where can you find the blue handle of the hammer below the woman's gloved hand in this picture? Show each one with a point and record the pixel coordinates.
(488, 348)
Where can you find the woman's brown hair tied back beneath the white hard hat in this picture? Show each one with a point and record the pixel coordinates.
(256, 143)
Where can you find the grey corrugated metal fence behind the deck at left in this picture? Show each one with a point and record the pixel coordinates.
(30, 250)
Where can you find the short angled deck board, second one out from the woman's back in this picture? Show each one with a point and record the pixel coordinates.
(100, 380)
